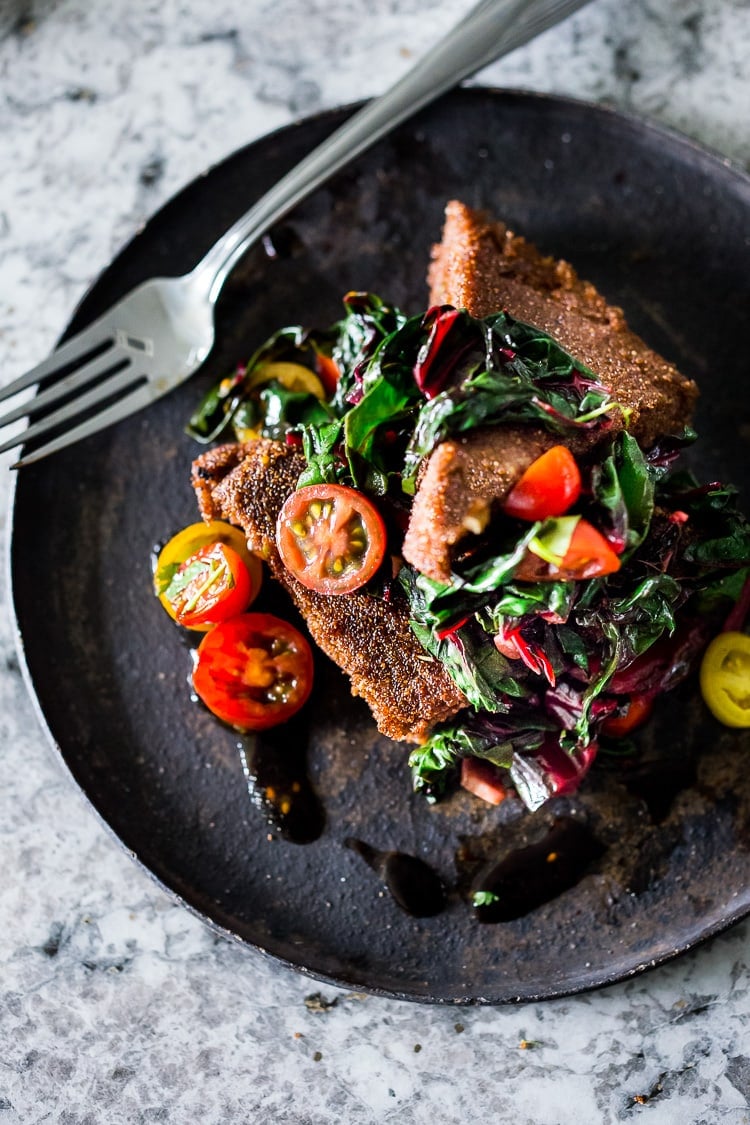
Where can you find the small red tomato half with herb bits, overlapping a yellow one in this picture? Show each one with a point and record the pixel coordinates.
(211, 587)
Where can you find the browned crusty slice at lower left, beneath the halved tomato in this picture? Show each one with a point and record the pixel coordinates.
(372, 641)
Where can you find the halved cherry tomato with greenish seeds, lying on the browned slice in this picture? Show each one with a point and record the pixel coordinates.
(331, 538)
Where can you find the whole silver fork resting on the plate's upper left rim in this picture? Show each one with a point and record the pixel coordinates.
(162, 331)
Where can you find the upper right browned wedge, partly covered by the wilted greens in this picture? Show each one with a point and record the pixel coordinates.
(482, 266)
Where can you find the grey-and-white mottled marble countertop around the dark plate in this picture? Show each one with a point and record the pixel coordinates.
(118, 1006)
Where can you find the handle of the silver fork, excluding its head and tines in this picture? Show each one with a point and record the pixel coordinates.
(491, 30)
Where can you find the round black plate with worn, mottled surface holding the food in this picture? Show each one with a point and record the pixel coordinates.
(664, 229)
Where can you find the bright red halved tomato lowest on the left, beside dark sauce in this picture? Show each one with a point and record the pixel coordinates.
(254, 672)
